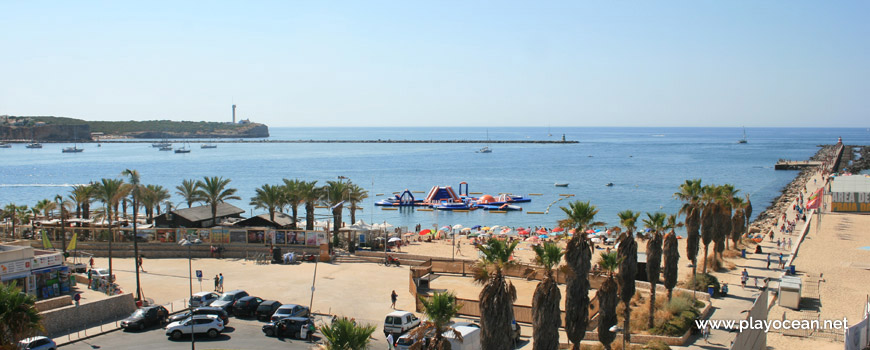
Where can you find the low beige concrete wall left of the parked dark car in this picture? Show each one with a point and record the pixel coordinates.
(68, 319)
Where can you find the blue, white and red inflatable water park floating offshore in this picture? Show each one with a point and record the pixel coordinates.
(445, 198)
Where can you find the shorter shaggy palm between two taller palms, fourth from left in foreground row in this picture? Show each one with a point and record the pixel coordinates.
(607, 299)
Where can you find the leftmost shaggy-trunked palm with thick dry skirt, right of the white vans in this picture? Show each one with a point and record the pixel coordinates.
(497, 295)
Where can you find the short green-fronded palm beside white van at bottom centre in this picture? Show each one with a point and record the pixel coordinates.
(439, 310)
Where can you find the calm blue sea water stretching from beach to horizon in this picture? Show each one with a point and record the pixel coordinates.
(645, 166)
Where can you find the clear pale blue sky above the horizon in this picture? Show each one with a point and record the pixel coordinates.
(424, 63)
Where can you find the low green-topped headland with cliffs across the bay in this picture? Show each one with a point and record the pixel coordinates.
(44, 128)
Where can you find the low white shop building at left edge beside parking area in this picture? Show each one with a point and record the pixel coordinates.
(38, 272)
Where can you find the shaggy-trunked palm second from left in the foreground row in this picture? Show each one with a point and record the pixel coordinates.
(546, 316)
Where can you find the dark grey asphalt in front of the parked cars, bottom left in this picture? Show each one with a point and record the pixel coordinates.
(241, 334)
